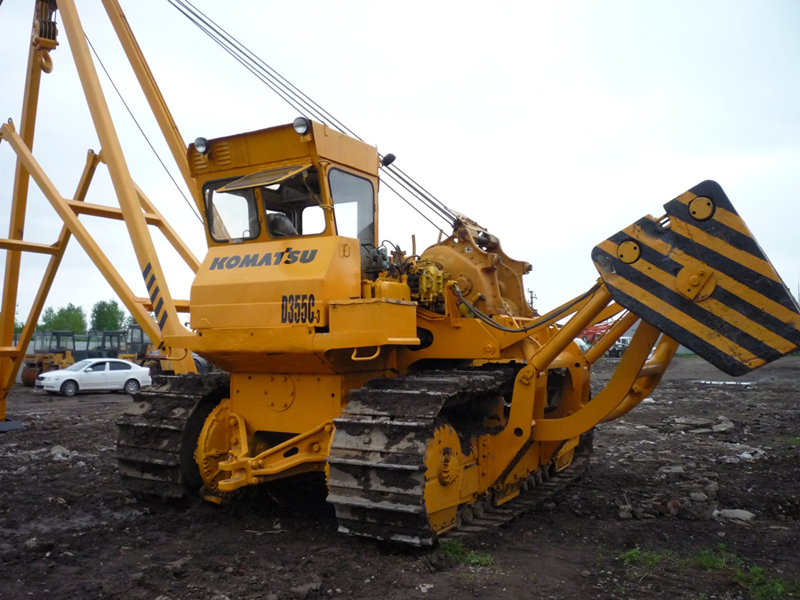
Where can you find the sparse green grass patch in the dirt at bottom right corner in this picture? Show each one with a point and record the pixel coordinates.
(757, 582)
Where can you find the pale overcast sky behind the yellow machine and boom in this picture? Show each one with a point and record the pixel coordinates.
(553, 124)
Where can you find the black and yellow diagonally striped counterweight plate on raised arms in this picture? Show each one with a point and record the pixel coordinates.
(699, 275)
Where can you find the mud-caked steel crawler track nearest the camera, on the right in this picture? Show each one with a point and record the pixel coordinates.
(377, 458)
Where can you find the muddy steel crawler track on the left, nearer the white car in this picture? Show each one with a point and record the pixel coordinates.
(151, 433)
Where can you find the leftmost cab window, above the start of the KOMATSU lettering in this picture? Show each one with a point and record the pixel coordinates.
(231, 215)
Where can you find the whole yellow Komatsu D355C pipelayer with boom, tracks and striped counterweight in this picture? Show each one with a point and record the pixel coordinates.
(423, 386)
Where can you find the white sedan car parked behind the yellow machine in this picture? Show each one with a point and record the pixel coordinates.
(95, 374)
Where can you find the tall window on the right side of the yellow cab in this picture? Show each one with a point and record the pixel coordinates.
(353, 206)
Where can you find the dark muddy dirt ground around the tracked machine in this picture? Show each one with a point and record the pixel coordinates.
(695, 494)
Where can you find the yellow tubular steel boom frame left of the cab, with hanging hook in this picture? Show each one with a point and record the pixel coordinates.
(136, 210)
